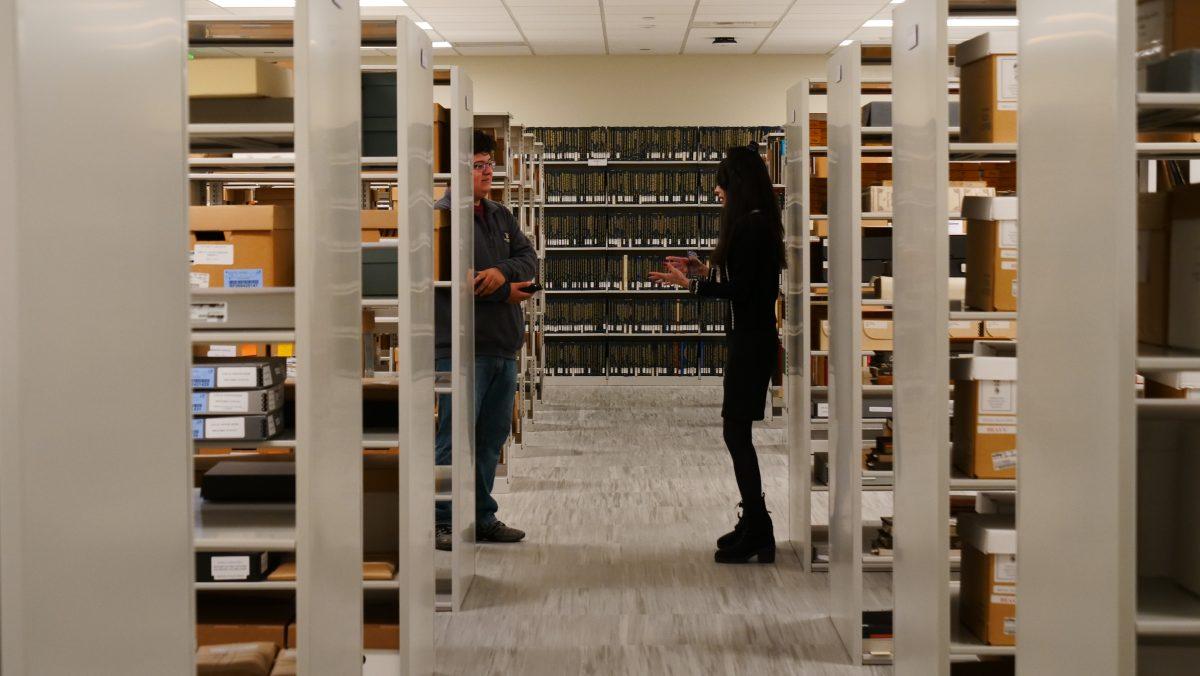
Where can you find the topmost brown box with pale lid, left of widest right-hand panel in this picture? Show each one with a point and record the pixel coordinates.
(988, 88)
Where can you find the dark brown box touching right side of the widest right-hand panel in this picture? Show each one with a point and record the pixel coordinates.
(1154, 266)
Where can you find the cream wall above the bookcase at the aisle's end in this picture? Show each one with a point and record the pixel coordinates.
(641, 91)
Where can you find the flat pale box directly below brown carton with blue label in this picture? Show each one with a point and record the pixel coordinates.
(243, 308)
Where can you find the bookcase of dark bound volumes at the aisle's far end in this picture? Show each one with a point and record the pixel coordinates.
(622, 200)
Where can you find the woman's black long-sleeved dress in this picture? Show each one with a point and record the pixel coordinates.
(749, 280)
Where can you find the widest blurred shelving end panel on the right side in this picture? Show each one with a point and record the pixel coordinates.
(1079, 271)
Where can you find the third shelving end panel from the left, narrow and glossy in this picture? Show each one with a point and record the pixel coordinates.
(415, 89)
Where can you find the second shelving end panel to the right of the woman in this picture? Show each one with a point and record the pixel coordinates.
(845, 370)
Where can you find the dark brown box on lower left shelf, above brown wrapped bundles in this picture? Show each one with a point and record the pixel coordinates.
(220, 623)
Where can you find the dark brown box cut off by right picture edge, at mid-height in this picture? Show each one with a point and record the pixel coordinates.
(1184, 286)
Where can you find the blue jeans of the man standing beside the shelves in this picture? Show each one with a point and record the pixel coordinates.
(496, 386)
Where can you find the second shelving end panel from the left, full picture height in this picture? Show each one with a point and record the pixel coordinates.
(329, 326)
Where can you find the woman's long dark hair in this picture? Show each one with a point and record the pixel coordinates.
(747, 184)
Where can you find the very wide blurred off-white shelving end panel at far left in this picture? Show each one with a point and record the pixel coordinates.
(94, 466)
